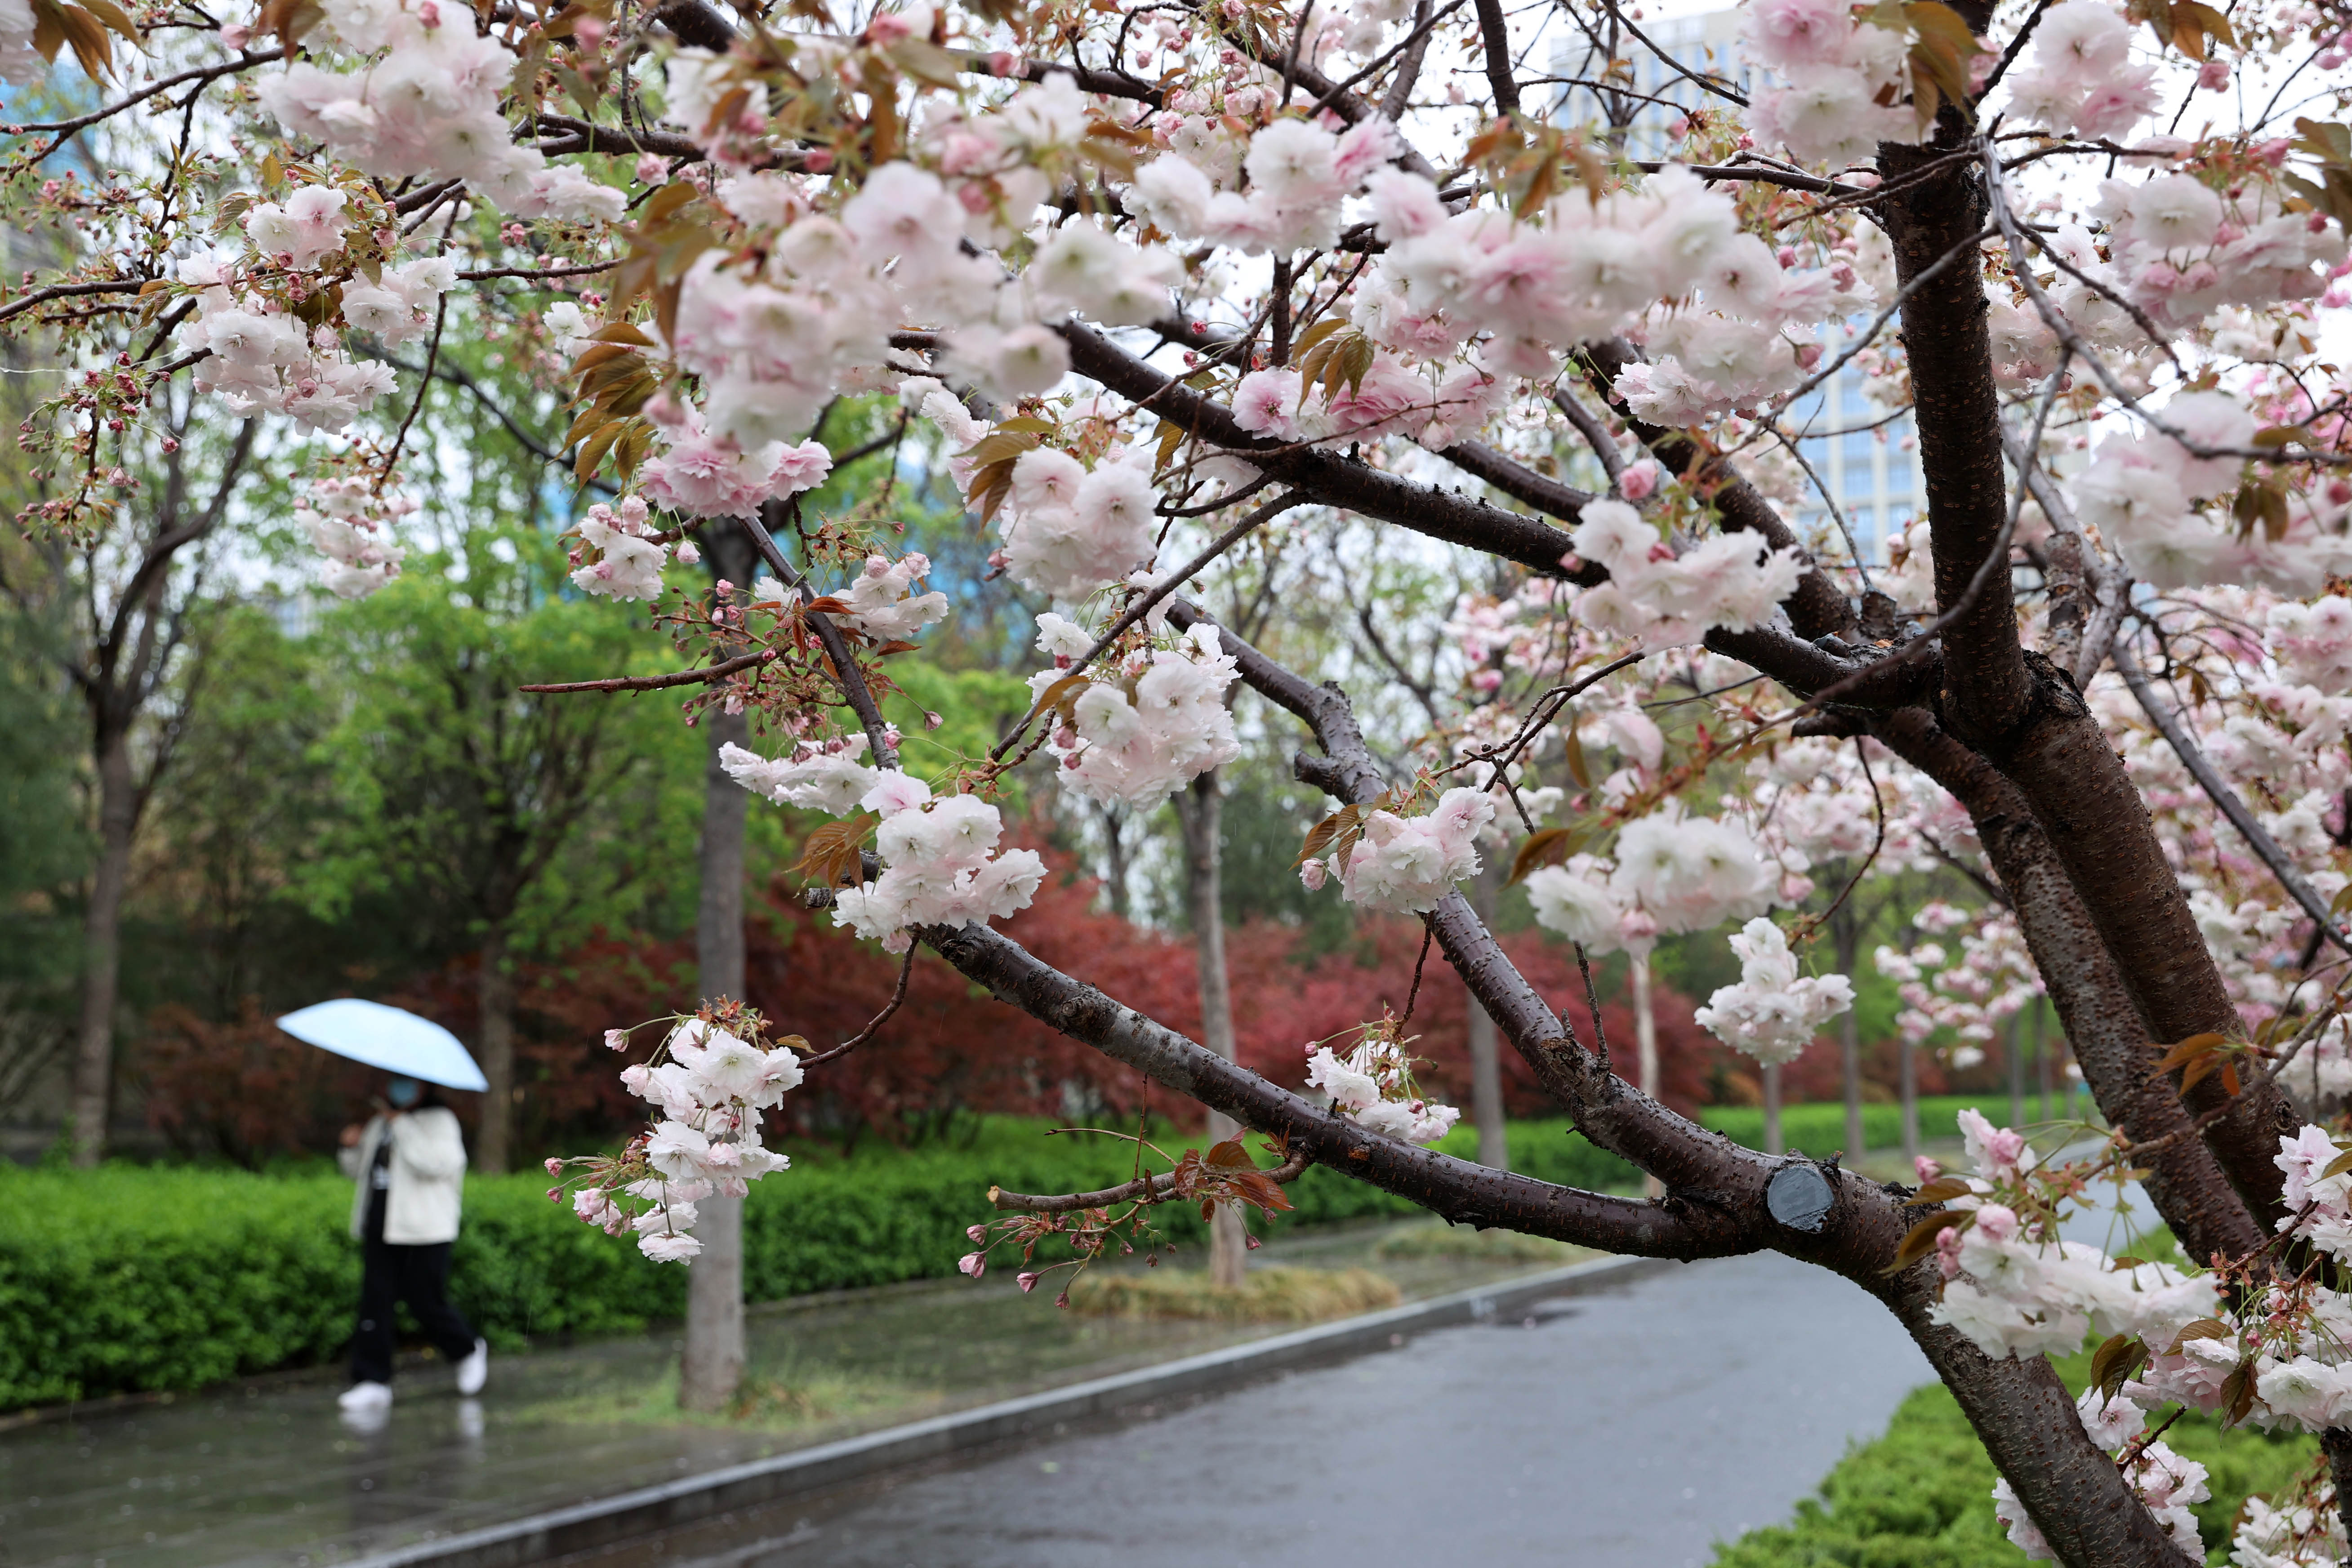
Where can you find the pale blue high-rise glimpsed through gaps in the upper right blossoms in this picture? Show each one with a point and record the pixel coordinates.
(1869, 467)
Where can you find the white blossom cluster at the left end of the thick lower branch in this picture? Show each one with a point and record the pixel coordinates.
(940, 855)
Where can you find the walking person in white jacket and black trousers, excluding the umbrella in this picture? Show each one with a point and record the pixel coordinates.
(410, 1162)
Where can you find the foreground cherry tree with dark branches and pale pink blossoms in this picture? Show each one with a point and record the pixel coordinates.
(1135, 269)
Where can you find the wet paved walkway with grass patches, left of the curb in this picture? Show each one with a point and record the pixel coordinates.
(274, 1477)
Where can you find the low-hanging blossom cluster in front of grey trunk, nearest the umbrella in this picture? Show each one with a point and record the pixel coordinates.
(707, 1139)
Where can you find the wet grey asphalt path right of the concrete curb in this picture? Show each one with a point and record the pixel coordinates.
(1619, 1430)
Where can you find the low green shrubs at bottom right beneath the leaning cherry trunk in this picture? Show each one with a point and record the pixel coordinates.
(1923, 1494)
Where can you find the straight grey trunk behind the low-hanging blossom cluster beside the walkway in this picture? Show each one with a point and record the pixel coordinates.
(711, 1369)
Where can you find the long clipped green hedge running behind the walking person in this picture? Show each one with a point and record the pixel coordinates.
(140, 1278)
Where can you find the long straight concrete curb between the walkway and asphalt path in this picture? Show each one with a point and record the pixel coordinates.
(810, 1470)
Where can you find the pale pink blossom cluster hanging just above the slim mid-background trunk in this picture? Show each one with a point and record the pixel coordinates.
(1147, 723)
